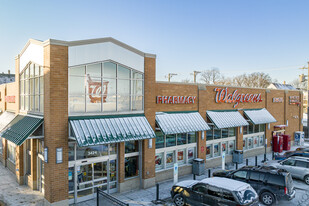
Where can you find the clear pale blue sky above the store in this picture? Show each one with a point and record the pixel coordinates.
(235, 36)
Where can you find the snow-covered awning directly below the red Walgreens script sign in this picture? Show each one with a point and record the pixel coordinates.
(227, 119)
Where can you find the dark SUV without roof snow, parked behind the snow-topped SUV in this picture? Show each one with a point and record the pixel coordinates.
(272, 184)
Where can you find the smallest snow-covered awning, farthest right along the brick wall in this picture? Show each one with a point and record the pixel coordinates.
(260, 116)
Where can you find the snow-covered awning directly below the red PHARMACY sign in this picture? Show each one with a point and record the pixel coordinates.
(181, 122)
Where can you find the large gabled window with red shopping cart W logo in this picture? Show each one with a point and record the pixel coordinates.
(105, 87)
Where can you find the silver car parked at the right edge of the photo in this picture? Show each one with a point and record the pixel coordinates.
(297, 166)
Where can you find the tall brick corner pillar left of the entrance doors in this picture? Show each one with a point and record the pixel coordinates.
(56, 121)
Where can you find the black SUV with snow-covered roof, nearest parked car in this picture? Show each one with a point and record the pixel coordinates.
(213, 191)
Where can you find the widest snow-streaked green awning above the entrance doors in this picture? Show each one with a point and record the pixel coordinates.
(94, 131)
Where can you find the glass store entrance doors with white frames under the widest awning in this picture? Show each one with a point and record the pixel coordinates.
(90, 176)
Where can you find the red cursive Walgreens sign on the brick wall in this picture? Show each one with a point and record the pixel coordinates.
(223, 95)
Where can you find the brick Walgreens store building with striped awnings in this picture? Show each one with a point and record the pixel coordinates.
(87, 114)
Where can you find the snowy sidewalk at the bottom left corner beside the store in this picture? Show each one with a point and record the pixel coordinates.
(11, 193)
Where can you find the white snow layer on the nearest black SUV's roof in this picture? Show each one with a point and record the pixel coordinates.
(226, 183)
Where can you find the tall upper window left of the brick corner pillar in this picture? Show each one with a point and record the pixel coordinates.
(32, 88)
